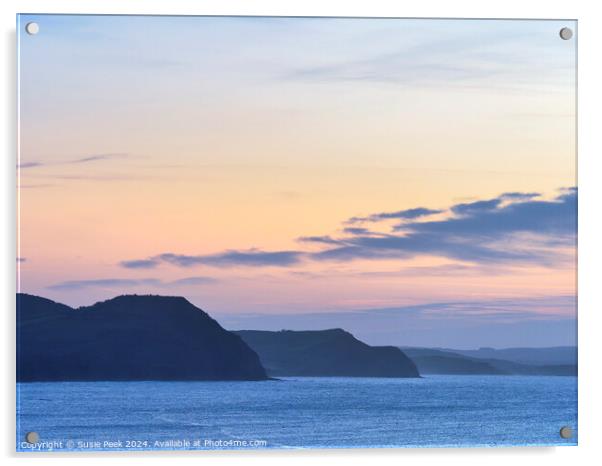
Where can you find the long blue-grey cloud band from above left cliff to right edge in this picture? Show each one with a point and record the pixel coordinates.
(513, 229)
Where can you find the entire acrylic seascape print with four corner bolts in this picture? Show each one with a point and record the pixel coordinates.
(249, 233)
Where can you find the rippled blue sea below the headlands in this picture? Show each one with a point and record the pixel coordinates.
(434, 411)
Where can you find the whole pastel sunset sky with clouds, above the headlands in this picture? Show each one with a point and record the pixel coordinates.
(412, 181)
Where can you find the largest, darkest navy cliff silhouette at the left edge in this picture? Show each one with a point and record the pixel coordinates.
(127, 338)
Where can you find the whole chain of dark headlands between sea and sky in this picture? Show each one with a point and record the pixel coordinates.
(149, 337)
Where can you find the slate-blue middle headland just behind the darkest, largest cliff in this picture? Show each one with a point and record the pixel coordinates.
(326, 353)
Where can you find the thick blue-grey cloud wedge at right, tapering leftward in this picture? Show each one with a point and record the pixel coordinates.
(489, 231)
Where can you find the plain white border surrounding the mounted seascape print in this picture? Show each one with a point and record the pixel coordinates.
(590, 213)
